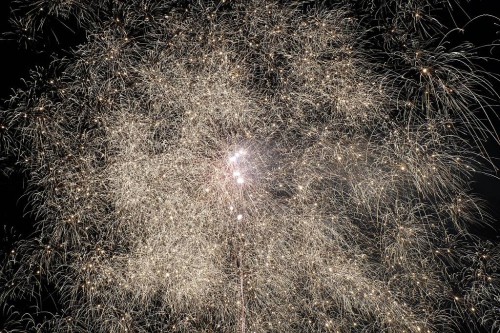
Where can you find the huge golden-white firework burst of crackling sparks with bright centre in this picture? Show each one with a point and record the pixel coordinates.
(251, 166)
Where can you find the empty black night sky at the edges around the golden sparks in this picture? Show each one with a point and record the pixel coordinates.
(16, 61)
